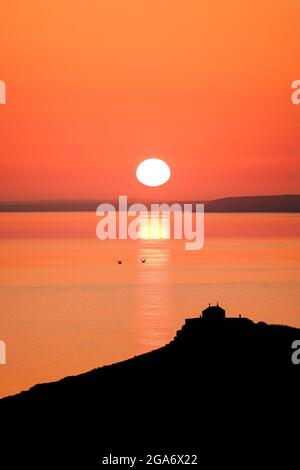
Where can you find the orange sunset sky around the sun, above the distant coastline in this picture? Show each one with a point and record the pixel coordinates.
(96, 86)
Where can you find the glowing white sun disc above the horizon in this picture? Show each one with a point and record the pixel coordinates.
(153, 172)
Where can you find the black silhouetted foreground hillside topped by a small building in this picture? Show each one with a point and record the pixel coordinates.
(224, 388)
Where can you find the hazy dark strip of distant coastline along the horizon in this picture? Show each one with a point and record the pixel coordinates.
(274, 203)
